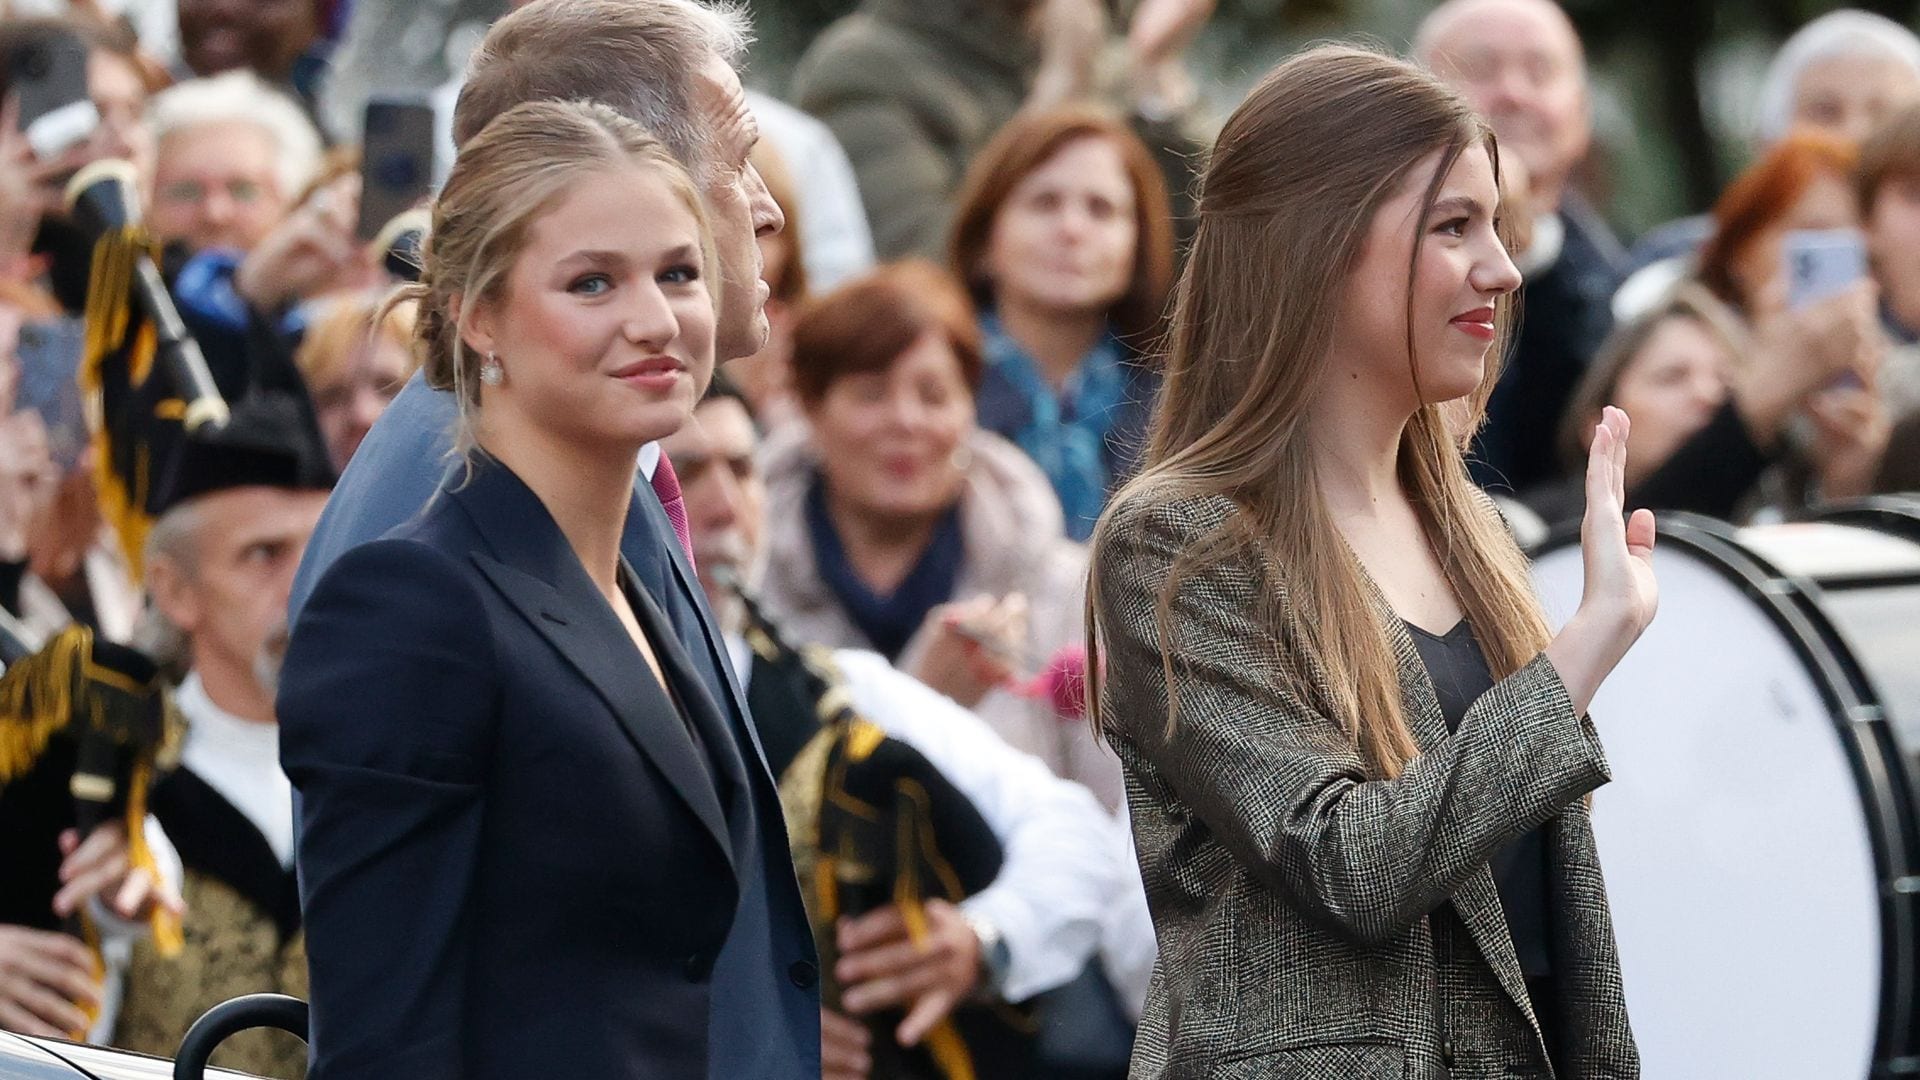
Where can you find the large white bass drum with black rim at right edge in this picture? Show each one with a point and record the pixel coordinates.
(1760, 831)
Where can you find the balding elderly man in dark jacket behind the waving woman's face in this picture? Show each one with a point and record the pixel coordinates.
(1522, 64)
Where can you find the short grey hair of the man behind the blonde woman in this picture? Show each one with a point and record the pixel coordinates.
(636, 57)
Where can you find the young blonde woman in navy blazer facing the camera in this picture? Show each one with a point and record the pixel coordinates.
(519, 800)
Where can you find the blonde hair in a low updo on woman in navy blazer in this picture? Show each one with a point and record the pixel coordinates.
(504, 182)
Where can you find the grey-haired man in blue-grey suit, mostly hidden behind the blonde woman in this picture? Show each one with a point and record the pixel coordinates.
(669, 66)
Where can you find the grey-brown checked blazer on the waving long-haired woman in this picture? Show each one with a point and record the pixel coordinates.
(1314, 923)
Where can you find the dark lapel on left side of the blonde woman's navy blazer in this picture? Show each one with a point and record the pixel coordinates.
(537, 572)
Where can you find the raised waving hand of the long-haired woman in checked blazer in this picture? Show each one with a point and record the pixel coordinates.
(1620, 593)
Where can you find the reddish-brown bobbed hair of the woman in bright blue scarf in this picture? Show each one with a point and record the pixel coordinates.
(1028, 143)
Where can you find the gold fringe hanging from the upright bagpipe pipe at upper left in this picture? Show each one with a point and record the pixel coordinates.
(108, 320)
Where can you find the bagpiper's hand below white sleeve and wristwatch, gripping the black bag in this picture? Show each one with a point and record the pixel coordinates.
(882, 968)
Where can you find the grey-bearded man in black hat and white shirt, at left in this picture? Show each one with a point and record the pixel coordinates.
(235, 516)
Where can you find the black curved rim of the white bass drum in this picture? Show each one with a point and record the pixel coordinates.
(1865, 737)
